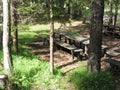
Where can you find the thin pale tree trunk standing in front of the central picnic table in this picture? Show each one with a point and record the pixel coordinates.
(51, 38)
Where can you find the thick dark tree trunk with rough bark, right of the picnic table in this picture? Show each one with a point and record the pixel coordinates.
(95, 36)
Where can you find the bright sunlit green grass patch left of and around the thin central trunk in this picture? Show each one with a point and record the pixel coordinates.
(32, 73)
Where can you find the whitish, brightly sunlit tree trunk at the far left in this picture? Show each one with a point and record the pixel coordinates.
(6, 36)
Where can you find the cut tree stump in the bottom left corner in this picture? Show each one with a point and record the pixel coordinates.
(3, 81)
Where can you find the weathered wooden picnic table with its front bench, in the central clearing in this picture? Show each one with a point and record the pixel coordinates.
(68, 41)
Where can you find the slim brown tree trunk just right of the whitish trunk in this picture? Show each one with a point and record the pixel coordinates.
(14, 25)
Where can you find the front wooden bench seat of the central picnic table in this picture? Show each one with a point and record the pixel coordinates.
(72, 48)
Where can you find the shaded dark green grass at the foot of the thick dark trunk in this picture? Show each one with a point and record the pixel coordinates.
(92, 81)
